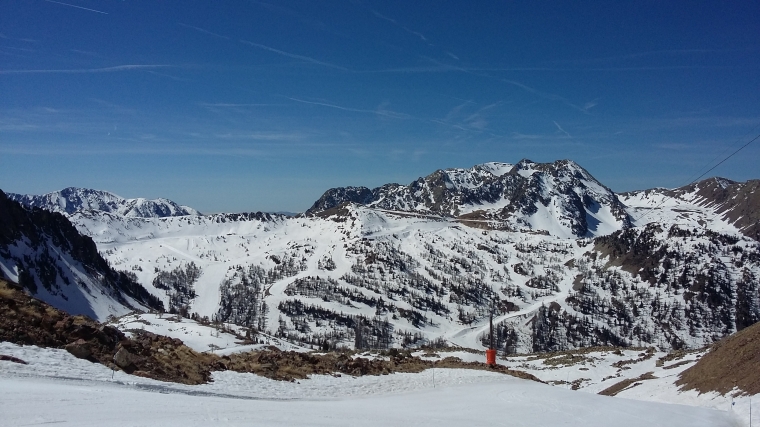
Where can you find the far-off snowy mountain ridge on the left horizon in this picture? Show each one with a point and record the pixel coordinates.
(72, 199)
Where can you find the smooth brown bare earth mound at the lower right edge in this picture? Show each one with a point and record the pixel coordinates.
(733, 362)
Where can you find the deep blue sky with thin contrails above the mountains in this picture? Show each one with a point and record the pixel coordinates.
(263, 105)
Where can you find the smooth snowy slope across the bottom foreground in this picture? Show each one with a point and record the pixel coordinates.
(78, 393)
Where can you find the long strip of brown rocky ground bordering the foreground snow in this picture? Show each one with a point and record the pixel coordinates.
(28, 321)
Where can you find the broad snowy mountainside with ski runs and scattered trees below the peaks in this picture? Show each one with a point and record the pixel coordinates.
(401, 279)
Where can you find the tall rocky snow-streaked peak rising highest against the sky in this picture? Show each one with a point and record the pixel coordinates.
(560, 198)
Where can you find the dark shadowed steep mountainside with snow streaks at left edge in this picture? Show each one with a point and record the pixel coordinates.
(46, 255)
